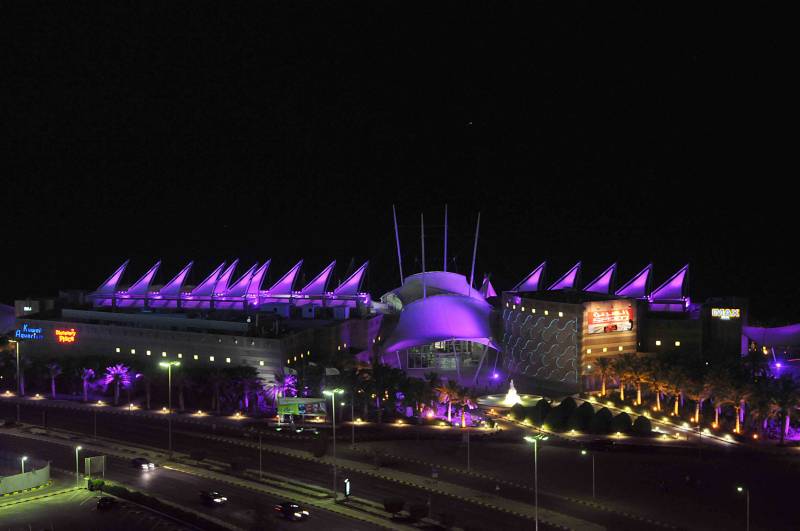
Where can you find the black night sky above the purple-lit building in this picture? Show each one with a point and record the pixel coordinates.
(213, 132)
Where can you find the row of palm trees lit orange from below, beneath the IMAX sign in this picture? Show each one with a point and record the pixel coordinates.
(744, 386)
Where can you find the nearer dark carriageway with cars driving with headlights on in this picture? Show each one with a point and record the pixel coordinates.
(246, 508)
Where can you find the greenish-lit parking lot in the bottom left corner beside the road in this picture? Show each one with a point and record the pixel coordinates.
(78, 510)
